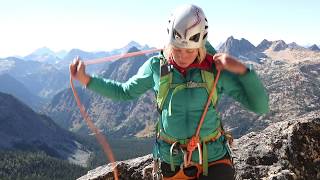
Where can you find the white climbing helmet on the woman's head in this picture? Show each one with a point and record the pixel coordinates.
(188, 27)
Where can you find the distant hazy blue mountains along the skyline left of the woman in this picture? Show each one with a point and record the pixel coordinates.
(45, 72)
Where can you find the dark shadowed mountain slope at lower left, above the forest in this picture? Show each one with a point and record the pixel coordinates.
(23, 129)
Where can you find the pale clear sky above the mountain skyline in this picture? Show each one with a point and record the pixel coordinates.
(92, 25)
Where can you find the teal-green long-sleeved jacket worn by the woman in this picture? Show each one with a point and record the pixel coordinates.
(187, 104)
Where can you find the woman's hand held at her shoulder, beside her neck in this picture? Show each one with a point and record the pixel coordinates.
(226, 62)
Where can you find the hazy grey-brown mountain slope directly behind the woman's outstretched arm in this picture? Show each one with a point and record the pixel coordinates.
(119, 118)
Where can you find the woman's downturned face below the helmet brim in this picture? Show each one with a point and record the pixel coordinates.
(184, 57)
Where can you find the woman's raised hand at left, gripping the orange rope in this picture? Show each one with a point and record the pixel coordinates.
(78, 71)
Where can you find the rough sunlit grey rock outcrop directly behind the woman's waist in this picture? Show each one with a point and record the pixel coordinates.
(289, 149)
